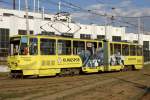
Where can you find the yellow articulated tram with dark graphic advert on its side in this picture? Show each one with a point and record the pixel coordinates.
(53, 55)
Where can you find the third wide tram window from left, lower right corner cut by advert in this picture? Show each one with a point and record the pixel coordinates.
(78, 47)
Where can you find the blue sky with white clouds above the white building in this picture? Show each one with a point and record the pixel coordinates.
(133, 8)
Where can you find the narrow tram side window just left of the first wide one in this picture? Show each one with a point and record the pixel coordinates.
(33, 46)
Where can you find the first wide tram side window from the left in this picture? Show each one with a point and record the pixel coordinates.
(47, 46)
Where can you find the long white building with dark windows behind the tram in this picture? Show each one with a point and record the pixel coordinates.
(13, 22)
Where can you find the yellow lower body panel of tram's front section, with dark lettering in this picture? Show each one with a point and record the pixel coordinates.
(43, 65)
